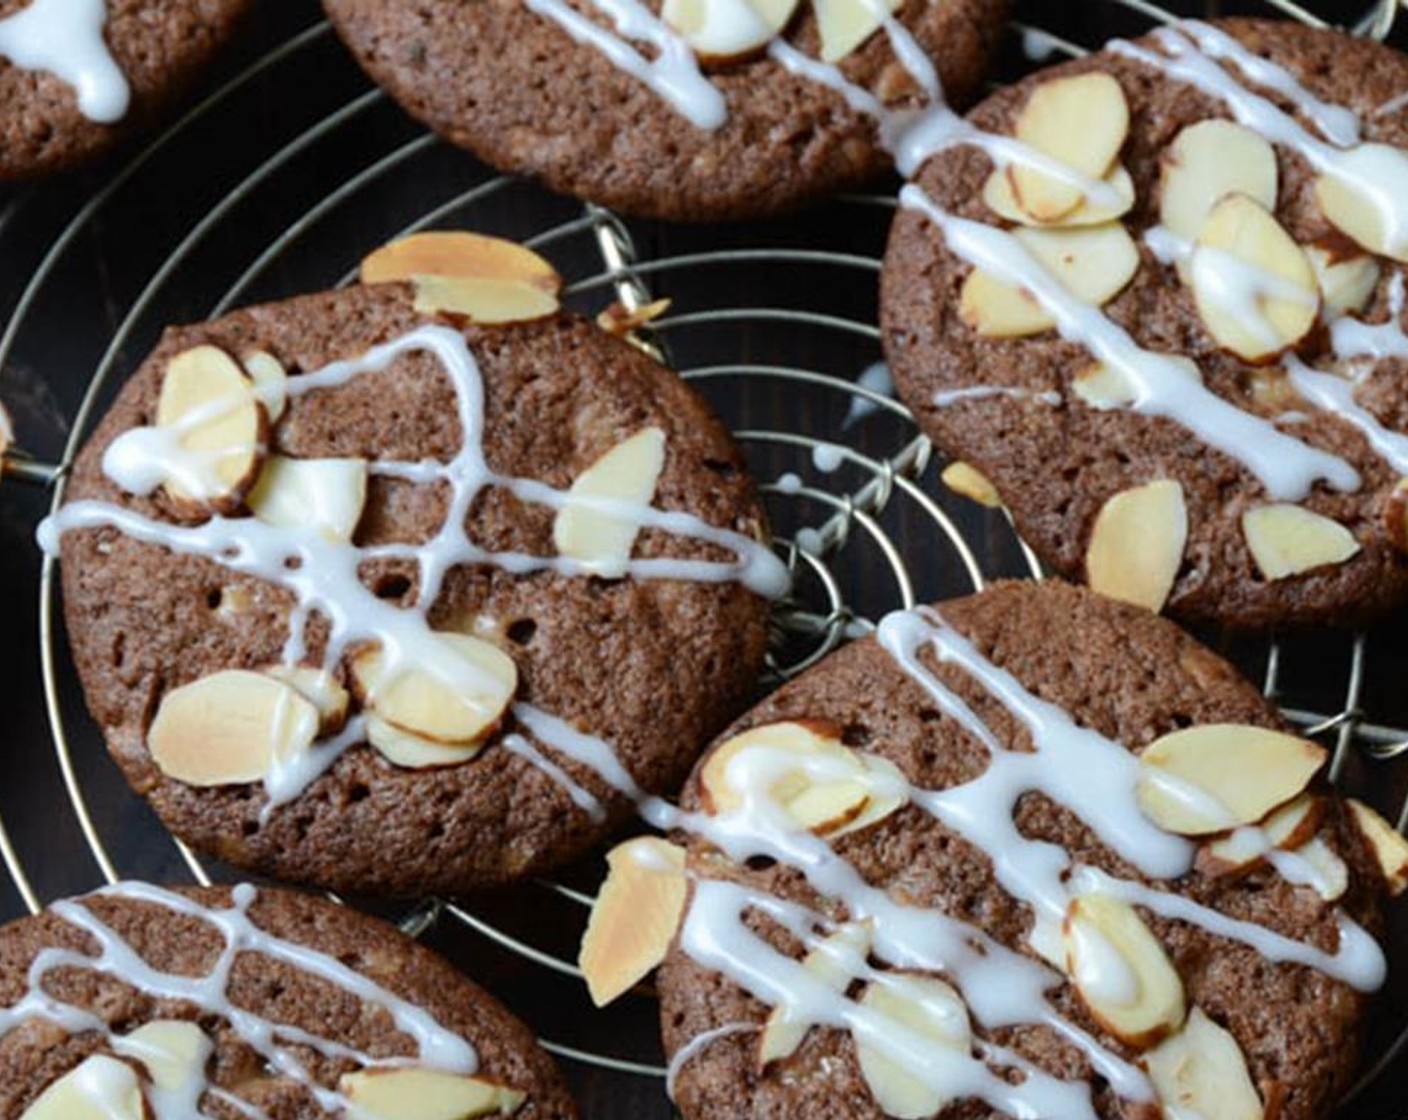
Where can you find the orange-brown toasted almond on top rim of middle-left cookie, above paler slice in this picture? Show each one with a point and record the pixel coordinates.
(461, 254)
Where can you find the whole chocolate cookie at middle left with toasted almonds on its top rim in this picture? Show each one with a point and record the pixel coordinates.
(360, 590)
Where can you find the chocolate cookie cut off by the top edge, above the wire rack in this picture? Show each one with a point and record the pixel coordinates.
(757, 129)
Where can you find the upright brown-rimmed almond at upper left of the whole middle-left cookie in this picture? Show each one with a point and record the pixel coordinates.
(218, 428)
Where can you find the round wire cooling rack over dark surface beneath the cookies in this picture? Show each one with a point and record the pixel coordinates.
(279, 182)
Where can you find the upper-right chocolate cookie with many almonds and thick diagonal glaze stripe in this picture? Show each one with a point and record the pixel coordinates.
(1155, 298)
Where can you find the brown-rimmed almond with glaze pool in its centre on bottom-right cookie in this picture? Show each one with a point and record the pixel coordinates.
(1121, 973)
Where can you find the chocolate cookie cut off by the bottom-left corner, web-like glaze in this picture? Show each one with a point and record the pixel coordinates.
(137, 1002)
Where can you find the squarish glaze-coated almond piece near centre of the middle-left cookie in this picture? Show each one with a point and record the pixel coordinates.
(320, 495)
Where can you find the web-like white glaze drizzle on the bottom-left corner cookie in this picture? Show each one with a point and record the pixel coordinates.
(436, 1047)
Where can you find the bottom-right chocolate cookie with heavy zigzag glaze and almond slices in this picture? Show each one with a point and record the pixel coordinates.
(1016, 921)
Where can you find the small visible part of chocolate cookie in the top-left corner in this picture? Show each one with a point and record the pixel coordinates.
(80, 78)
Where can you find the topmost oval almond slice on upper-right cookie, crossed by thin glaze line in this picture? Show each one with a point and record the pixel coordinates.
(1082, 123)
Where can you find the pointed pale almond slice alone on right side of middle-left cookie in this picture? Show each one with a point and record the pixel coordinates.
(629, 474)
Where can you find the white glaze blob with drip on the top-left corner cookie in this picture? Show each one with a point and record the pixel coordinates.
(65, 39)
